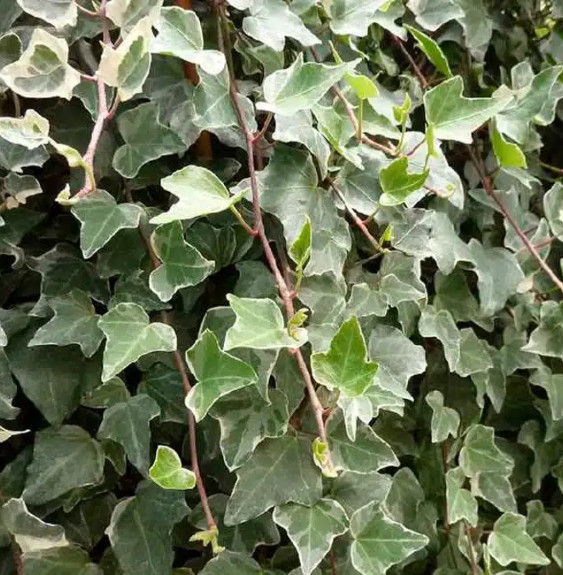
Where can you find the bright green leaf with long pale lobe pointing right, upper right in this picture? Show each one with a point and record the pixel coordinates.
(454, 117)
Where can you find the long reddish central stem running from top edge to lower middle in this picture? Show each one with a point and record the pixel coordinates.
(283, 288)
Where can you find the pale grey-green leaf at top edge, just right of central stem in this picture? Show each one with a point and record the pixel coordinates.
(271, 22)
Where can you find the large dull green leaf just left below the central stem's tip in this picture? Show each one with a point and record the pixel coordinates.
(280, 470)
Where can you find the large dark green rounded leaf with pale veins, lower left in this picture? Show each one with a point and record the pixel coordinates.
(63, 459)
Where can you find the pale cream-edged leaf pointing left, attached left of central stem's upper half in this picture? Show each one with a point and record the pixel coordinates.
(199, 191)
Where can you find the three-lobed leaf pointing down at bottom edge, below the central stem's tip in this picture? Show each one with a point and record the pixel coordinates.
(312, 529)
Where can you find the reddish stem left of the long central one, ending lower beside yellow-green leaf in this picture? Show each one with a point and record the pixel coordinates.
(182, 370)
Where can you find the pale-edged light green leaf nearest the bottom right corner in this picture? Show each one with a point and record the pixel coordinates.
(509, 542)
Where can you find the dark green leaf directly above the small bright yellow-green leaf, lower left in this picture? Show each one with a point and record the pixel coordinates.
(128, 423)
